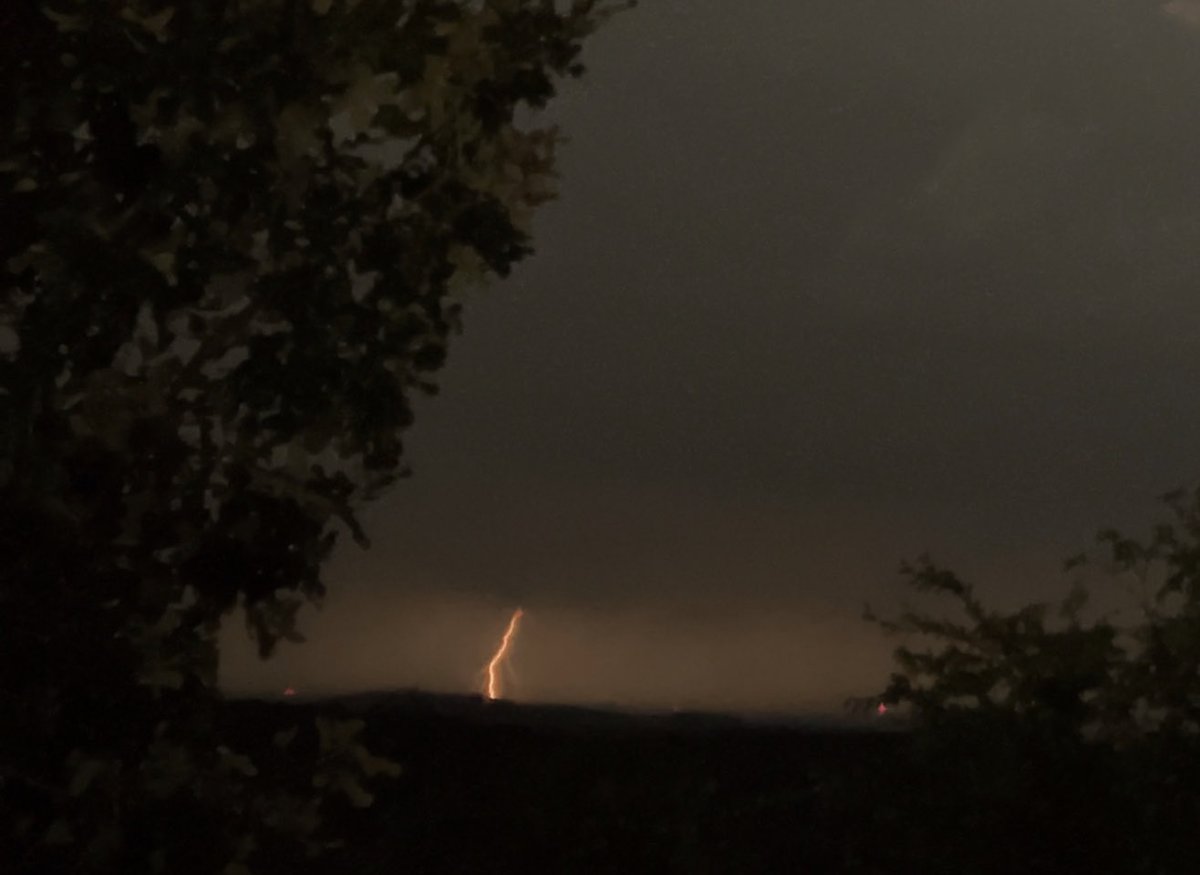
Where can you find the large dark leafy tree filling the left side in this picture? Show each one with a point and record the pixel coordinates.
(233, 239)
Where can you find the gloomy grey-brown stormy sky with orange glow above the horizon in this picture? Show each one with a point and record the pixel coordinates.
(830, 284)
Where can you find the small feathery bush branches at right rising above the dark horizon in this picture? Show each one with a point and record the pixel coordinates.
(1095, 678)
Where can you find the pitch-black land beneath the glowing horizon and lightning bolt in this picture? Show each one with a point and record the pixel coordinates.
(499, 788)
